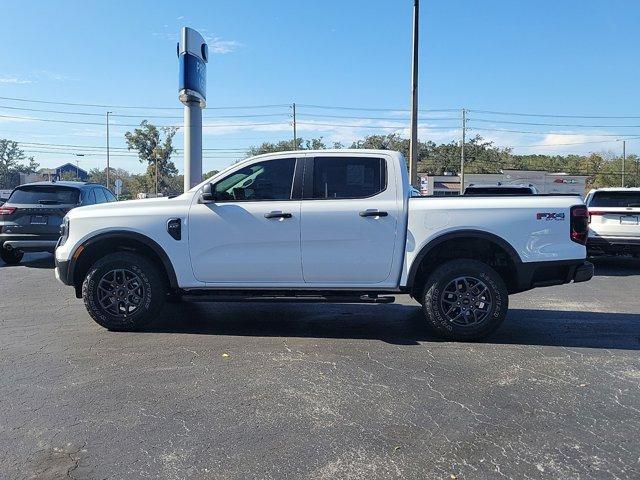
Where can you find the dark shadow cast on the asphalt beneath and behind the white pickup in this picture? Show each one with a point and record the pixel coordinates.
(395, 324)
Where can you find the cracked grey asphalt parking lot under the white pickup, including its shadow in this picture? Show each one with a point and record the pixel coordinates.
(232, 391)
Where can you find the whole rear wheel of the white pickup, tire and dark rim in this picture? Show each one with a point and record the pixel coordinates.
(465, 300)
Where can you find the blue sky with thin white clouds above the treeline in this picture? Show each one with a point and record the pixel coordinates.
(545, 57)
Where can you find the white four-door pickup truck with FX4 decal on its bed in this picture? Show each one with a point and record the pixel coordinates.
(328, 225)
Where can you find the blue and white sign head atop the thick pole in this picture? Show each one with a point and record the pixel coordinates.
(193, 54)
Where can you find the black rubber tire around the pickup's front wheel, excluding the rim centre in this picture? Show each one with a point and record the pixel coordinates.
(152, 286)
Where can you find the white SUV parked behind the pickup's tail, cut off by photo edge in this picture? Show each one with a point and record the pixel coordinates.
(614, 221)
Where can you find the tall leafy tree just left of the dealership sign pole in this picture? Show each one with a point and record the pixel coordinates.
(156, 152)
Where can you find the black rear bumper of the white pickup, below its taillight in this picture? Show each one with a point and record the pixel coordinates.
(545, 274)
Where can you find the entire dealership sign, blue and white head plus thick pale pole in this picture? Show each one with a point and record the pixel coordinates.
(193, 56)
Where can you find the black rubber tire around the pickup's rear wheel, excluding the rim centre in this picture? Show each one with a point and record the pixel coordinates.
(435, 288)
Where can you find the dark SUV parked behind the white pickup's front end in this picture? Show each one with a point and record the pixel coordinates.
(30, 219)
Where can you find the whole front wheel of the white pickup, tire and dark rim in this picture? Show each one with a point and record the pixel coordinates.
(123, 291)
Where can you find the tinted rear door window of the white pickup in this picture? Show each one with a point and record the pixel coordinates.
(347, 177)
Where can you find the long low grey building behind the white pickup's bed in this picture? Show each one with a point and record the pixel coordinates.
(545, 182)
